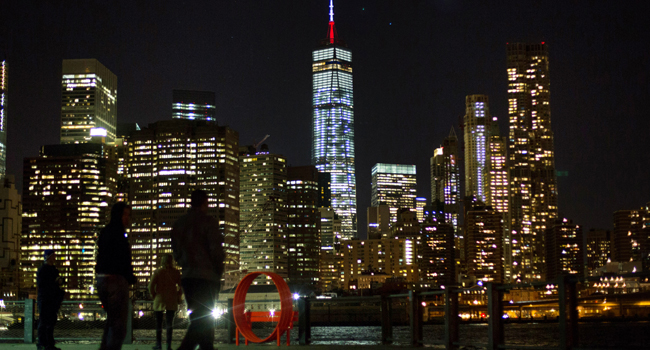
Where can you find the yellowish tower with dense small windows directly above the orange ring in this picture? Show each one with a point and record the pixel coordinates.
(263, 206)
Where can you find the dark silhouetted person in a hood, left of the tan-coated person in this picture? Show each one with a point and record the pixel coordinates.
(114, 272)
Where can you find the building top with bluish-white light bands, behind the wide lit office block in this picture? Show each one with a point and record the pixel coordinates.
(194, 105)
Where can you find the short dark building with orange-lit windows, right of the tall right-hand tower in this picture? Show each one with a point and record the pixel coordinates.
(564, 249)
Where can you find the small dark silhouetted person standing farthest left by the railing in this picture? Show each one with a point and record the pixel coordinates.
(50, 296)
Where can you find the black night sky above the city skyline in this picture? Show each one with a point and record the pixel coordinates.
(414, 63)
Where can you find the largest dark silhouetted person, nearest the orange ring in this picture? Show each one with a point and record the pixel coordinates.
(198, 248)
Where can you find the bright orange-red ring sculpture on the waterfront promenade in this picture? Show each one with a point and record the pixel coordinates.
(239, 306)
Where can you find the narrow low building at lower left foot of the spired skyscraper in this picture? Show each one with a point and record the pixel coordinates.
(331, 262)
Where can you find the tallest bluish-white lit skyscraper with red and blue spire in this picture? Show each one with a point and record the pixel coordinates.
(333, 124)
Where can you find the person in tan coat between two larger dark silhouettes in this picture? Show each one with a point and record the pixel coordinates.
(165, 288)
